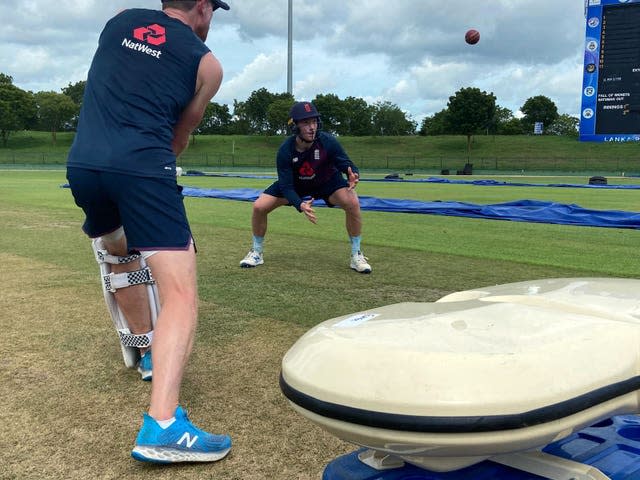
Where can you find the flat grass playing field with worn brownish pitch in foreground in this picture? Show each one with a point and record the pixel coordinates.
(71, 409)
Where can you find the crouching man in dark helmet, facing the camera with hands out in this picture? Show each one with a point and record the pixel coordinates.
(311, 165)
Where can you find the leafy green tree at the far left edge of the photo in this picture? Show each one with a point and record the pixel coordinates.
(17, 108)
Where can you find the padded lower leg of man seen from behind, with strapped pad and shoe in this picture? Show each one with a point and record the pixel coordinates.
(129, 271)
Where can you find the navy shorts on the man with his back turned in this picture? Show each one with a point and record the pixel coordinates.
(151, 210)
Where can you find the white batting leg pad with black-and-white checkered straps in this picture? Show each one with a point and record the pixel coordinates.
(111, 282)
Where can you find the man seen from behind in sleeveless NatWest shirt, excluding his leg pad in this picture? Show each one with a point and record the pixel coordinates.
(149, 83)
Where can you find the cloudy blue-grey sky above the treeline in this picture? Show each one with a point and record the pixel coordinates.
(409, 52)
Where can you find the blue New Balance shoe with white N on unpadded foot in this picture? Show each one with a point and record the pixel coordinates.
(181, 442)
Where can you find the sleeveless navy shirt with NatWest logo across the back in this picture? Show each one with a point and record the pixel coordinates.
(142, 77)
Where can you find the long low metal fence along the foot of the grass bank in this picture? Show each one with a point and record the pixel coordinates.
(443, 165)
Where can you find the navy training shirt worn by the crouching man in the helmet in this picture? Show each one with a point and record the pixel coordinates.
(300, 173)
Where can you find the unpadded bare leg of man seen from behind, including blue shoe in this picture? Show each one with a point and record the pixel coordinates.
(167, 435)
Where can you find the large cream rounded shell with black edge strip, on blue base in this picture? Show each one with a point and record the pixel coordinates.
(478, 373)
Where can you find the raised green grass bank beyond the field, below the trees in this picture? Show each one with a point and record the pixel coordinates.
(490, 154)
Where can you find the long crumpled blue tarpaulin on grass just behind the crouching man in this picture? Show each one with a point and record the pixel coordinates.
(517, 211)
